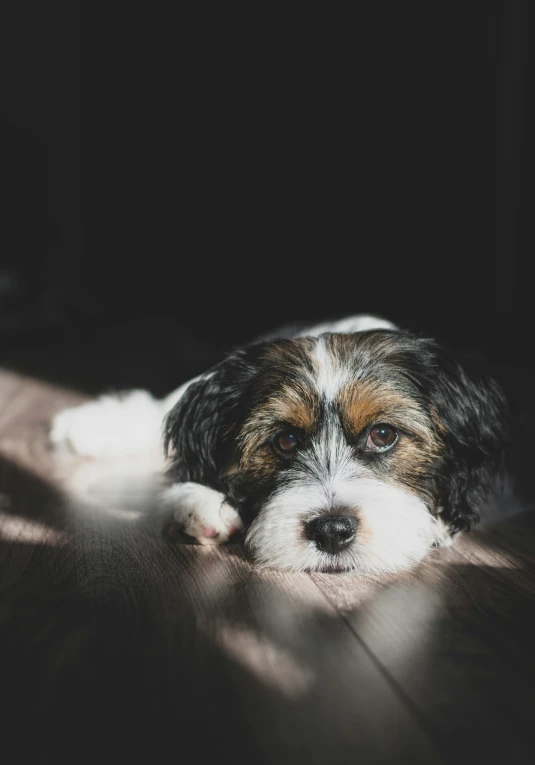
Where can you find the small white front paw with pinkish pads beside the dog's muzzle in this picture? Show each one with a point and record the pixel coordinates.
(202, 513)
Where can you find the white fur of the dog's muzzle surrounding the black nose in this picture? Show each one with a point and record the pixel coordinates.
(395, 529)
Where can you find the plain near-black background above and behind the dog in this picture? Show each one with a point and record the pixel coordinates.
(176, 184)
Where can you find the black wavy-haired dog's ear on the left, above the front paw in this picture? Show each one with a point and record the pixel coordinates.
(198, 430)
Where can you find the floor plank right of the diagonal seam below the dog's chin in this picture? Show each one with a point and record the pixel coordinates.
(445, 635)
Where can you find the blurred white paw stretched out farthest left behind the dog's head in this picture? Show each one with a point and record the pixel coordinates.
(111, 426)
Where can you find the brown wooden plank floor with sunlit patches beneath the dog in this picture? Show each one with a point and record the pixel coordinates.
(118, 644)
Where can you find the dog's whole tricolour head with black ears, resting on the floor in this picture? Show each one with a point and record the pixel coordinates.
(349, 451)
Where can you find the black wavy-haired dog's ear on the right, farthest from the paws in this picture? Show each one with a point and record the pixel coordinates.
(472, 419)
